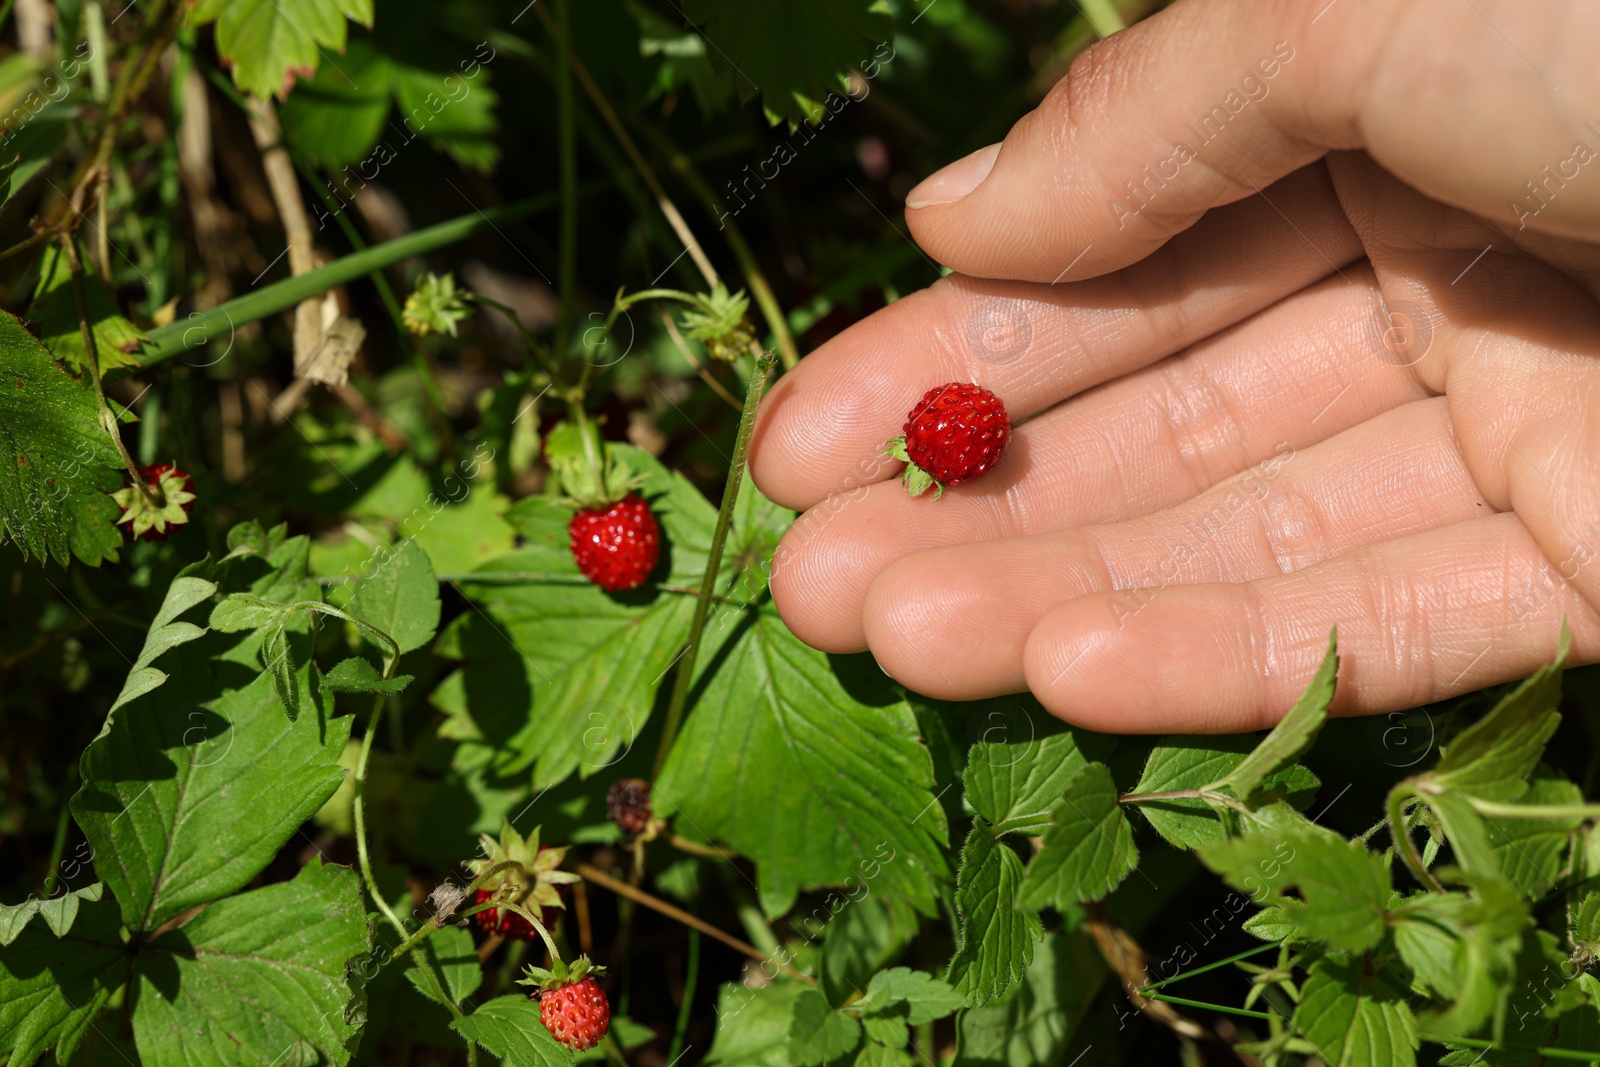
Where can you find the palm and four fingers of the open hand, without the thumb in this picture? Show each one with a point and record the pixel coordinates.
(1326, 406)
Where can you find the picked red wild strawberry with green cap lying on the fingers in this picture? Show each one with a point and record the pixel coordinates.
(954, 434)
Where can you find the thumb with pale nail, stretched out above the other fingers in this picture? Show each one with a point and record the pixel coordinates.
(1193, 110)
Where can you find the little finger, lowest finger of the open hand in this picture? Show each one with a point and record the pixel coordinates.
(1420, 620)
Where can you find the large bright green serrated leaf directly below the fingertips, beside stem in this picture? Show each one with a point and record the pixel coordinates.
(810, 765)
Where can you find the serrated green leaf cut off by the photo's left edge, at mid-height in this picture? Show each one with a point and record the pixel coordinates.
(60, 468)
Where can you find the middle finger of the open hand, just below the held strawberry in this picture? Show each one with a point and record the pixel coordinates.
(1289, 378)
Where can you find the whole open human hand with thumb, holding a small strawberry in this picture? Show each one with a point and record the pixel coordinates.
(1289, 353)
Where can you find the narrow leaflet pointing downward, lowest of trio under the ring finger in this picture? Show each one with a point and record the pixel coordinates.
(996, 938)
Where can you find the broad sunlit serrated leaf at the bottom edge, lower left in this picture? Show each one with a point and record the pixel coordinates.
(258, 978)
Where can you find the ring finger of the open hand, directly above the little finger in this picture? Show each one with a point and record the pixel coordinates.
(1390, 478)
